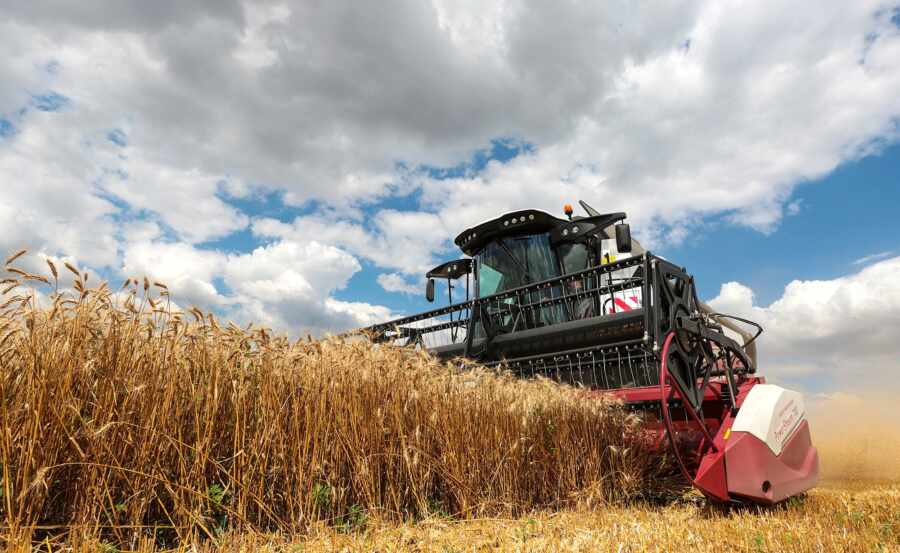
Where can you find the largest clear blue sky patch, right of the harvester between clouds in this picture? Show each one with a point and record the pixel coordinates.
(852, 213)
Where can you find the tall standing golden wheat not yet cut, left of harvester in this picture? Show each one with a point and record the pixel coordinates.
(125, 419)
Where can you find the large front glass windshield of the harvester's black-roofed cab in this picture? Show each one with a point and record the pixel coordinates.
(511, 262)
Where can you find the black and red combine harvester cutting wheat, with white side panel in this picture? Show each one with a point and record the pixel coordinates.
(578, 301)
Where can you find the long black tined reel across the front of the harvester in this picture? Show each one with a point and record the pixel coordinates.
(609, 360)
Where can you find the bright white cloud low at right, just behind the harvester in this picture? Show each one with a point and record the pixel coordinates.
(842, 331)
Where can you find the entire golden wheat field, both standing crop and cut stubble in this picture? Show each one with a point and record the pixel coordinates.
(130, 424)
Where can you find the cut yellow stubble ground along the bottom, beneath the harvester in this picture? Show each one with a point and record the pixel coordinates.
(854, 517)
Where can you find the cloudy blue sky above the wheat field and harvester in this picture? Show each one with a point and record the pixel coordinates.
(302, 164)
